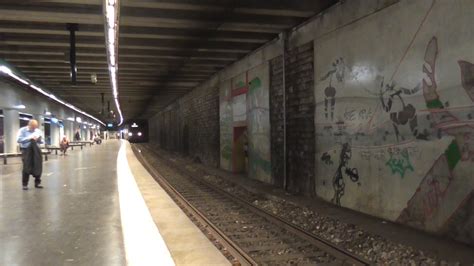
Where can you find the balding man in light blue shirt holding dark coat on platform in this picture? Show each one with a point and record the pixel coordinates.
(29, 137)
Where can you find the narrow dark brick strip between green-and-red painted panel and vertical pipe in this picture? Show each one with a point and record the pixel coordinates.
(276, 120)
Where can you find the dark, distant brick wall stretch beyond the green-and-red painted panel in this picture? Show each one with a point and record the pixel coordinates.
(191, 125)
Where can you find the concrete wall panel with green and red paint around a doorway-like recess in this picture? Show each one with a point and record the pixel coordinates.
(245, 124)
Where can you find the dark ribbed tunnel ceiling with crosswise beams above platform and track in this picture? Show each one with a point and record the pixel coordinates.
(166, 48)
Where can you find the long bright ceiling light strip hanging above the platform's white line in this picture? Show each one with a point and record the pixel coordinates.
(111, 13)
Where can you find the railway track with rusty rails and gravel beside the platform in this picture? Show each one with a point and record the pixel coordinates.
(246, 234)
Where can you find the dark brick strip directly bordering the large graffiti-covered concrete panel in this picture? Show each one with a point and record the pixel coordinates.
(300, 119)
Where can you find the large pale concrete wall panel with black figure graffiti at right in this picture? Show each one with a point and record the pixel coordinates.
(407, 112)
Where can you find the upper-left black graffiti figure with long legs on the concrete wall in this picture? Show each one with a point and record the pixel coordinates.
(330, 91)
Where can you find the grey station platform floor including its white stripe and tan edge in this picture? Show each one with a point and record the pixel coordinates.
(92, 212)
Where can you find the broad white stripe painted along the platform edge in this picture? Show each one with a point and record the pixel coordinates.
(143, 242)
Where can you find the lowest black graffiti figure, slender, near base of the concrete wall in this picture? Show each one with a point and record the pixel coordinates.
(338, 182)
